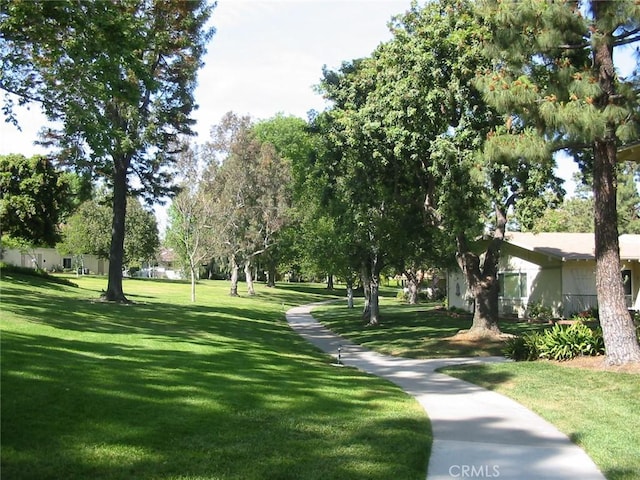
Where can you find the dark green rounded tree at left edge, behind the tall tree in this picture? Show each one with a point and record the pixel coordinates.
(34, 195)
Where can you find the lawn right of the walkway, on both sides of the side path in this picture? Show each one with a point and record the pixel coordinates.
(597, 409)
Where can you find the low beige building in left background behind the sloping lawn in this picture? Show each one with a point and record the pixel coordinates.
(51, 260)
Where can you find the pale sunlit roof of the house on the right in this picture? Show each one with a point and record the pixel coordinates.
(571, 246)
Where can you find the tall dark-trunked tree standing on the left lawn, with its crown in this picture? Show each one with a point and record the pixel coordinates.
(120, 77)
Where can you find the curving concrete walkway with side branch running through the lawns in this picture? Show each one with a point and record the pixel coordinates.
(476, 433)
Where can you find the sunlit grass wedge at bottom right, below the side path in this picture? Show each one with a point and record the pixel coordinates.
(598, 410)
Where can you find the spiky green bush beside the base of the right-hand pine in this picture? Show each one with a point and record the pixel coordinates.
(557, 343)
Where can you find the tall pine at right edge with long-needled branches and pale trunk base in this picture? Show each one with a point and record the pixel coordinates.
(556, 81)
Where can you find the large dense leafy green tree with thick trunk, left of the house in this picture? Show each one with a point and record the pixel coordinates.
(420, 126)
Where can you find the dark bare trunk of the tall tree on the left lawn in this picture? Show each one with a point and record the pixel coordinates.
(114, 291)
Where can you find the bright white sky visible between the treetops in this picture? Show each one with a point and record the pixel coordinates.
(265, 58)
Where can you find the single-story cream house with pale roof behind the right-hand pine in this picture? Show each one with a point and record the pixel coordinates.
(556, 270)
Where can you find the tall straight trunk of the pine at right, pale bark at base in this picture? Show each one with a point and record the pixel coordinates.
(621, 343)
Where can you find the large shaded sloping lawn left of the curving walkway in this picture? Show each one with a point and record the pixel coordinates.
(165, 389)
